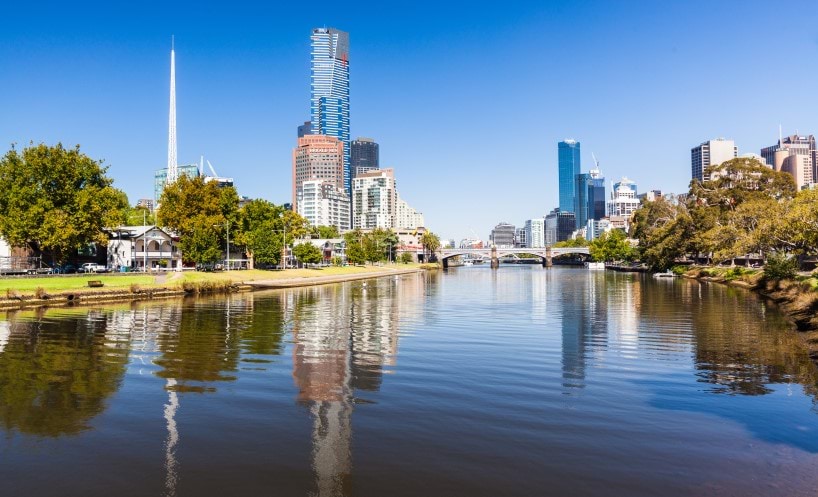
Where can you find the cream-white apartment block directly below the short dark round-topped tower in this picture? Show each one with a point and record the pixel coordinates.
(374, 200)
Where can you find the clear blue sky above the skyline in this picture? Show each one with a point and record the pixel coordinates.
(467, 100)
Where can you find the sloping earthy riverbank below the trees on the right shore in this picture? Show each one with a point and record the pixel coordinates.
(798, 298)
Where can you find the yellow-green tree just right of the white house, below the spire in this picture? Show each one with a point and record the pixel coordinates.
(192, 208)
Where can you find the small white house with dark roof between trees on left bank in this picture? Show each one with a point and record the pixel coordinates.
(138, 247)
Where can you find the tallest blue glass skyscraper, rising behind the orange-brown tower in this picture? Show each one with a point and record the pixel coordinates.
(329, 85)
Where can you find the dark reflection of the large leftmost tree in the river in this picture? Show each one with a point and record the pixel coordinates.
(56, 374)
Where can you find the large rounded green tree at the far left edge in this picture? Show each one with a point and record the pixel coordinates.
(56, 199)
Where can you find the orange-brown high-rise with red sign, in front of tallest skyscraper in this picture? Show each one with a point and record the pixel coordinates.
(317, 157)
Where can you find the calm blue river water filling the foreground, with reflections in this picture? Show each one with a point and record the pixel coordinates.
(523, 381)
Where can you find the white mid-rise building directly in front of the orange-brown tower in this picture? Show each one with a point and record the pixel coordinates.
(323, 203)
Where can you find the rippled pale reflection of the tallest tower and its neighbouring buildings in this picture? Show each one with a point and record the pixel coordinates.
(344, 337)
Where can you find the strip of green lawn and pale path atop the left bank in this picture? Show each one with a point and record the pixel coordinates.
(22, 288)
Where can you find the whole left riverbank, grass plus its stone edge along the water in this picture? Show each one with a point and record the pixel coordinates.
(51, 291)
